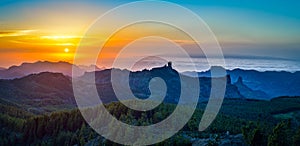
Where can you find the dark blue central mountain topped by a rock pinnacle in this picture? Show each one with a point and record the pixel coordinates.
(139, 83)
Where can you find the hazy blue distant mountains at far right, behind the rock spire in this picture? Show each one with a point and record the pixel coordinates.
(273, 83)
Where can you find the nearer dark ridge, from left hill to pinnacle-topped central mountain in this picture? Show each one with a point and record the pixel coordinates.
(46, 92)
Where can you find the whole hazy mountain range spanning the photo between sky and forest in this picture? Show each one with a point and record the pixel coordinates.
(33, 89)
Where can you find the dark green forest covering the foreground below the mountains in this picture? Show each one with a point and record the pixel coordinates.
(259, 124)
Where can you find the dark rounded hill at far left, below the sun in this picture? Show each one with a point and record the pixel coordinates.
(39, 92)
